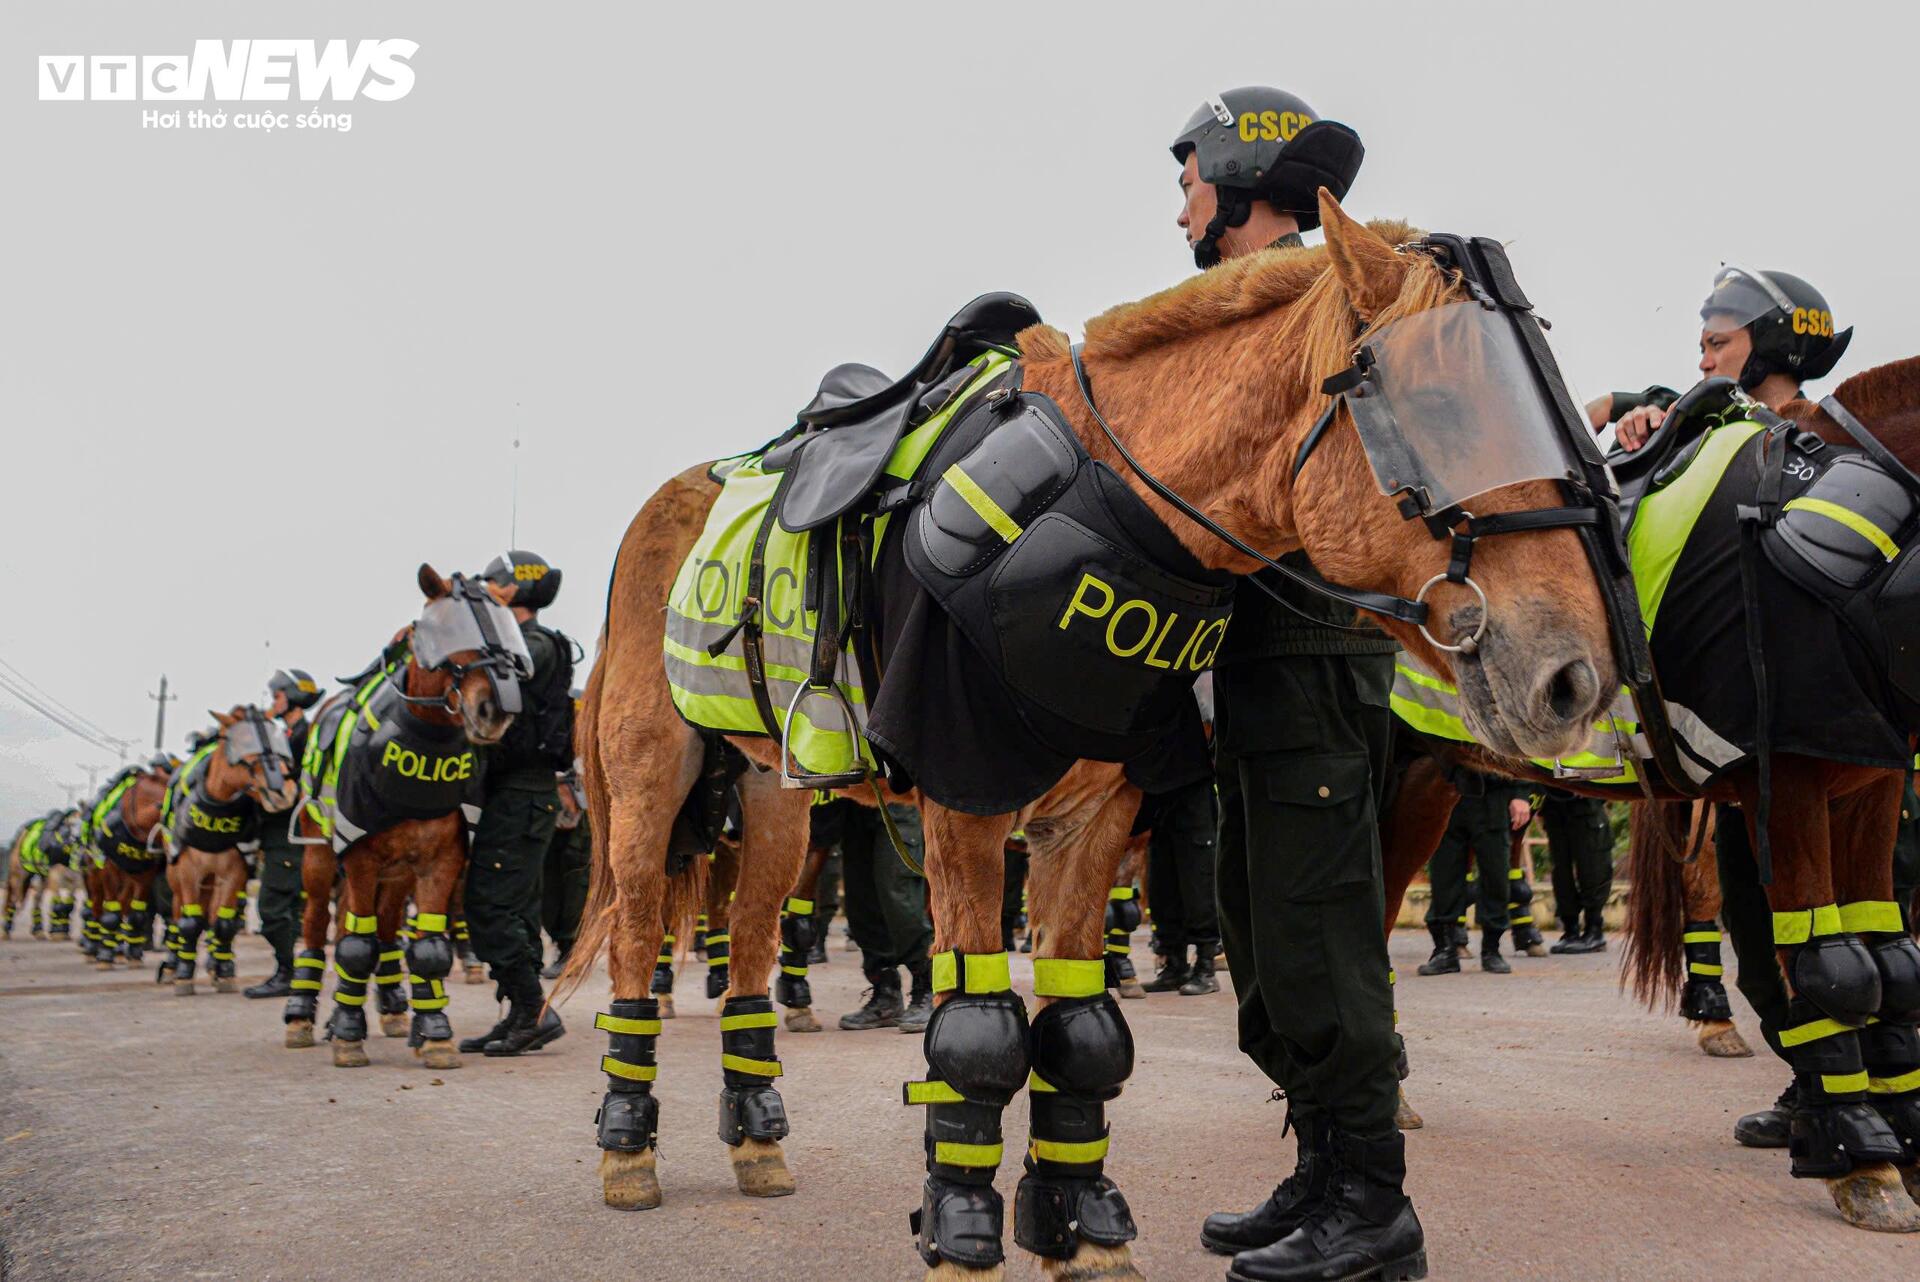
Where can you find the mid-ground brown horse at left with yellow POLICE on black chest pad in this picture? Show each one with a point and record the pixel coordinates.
(435, 698)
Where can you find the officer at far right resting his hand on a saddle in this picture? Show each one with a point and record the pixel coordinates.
(1767, 331)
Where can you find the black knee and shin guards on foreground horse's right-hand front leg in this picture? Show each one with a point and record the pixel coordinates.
(1082, 1055)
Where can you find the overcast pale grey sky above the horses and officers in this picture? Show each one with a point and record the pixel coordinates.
(252, 381)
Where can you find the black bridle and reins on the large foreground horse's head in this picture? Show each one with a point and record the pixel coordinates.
(1451, 523)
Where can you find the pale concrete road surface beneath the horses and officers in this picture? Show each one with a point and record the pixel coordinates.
(1570, 1135)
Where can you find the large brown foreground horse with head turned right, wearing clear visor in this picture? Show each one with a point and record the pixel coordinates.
(1214, 385)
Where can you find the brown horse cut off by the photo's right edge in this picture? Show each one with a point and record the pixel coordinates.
(1831, 828)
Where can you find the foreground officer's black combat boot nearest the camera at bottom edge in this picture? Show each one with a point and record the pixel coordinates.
(1364, 1229)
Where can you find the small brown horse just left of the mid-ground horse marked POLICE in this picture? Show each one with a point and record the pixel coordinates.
(216, 805)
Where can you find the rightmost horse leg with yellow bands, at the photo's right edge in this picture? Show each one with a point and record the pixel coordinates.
(1865, 826)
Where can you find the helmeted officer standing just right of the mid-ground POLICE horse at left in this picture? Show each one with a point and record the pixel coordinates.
(519, 815)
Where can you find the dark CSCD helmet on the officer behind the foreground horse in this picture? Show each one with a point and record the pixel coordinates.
(1262, 143)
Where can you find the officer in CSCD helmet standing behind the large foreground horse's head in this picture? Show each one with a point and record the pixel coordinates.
(1301, 755)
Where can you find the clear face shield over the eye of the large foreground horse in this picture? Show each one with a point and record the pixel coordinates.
(1449, 406)
